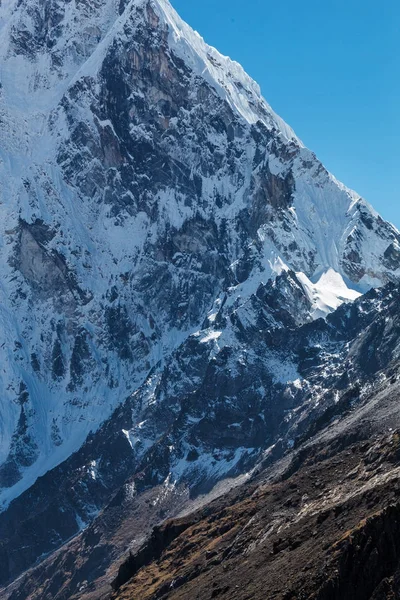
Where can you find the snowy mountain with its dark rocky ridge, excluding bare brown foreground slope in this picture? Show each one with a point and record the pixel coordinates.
(167, 246)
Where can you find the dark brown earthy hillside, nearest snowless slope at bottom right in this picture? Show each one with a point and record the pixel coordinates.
(329, 531)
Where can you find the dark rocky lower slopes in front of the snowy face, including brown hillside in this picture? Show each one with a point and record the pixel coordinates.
(315, 458)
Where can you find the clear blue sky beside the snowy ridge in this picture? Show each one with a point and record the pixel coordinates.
(331, 69)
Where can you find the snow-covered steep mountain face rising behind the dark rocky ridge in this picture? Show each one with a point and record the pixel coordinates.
(144, 181)
